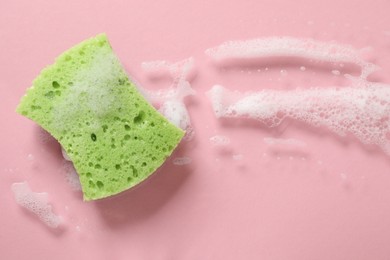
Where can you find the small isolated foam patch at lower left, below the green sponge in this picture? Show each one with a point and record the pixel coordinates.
(37, 203)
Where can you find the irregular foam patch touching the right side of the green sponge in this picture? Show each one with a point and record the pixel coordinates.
(171, 101)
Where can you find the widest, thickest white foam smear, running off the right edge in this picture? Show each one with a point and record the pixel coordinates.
(362, 111)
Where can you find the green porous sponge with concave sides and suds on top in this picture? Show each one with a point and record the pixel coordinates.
(114, 137)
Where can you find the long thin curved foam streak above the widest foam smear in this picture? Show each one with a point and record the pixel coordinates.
(292, 47)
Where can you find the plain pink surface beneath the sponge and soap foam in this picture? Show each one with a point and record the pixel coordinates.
(330, 200)
